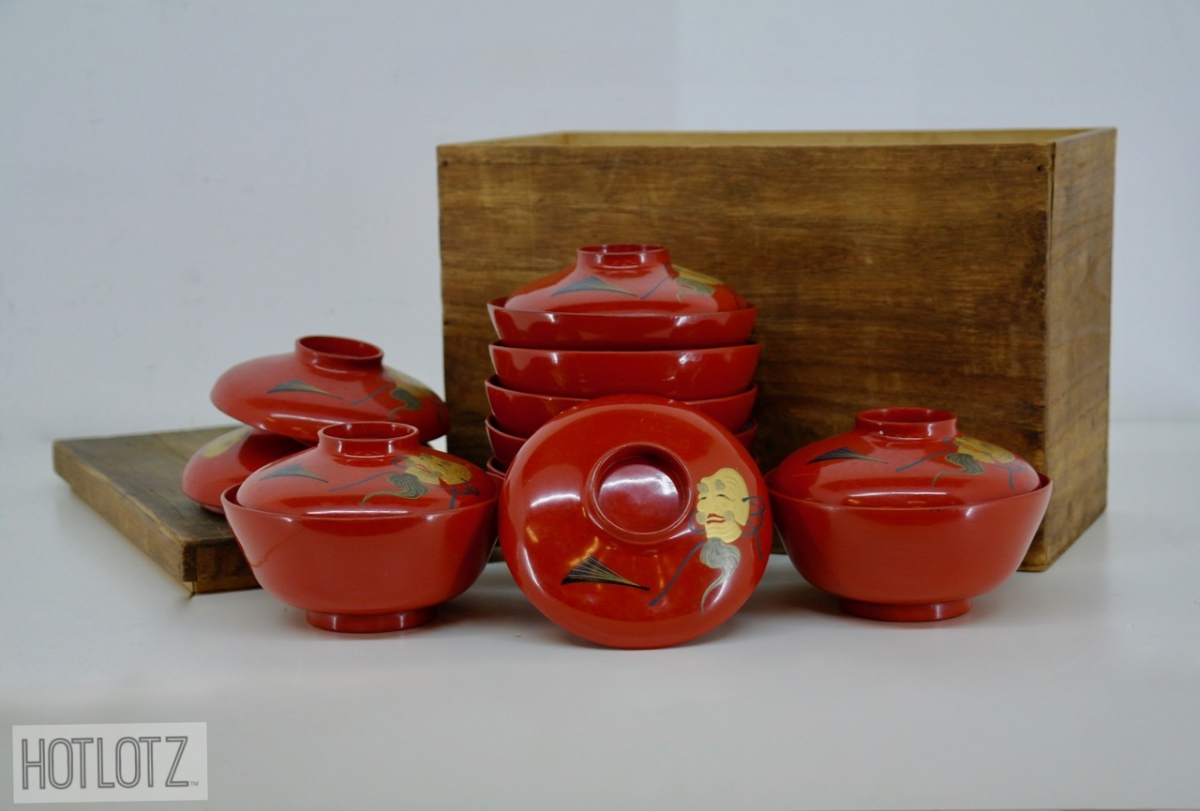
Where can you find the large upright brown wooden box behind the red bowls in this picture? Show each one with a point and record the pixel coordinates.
(962, 271)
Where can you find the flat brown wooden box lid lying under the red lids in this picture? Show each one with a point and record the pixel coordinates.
(134, 483)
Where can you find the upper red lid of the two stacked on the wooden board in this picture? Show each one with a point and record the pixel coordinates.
(326, 381)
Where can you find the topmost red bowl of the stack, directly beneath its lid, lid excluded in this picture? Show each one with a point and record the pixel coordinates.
(620, 331)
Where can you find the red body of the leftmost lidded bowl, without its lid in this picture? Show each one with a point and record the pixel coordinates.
(365, 574)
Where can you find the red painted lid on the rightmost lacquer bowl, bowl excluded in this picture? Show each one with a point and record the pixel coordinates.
(903, 458)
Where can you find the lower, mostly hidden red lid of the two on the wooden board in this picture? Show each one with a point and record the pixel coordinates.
(229, 460)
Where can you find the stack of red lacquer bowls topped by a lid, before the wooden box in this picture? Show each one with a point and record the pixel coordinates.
(622, 320)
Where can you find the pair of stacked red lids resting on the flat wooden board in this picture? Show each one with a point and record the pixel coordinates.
(285, 400)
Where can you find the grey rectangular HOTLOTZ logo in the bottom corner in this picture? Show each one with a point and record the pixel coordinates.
(110, 762)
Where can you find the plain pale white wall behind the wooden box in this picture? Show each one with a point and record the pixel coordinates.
(187, 185)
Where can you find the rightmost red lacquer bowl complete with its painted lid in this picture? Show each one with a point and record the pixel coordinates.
(904, 518)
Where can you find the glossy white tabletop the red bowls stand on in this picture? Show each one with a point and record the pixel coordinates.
(1076, 688)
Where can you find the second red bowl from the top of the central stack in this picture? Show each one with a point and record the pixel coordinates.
(676, 374)
